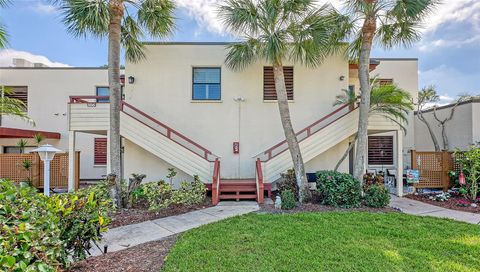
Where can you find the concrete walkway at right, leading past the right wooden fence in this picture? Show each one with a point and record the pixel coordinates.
(414, 207)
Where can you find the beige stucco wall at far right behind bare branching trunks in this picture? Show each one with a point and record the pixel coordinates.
(462, 131)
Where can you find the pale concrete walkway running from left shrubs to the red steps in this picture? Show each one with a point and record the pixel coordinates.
(135, 234)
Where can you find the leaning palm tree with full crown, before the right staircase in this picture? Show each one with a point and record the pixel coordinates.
(275, 31)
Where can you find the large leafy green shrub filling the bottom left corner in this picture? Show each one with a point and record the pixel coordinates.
(39, 233)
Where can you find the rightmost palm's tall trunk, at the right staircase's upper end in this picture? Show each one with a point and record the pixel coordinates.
(368, 33)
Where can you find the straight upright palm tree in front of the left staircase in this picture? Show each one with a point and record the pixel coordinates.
(124, 22)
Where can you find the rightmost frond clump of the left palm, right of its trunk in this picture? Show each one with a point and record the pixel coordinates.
(157, 17)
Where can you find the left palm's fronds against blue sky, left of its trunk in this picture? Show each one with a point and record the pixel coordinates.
(84, 17)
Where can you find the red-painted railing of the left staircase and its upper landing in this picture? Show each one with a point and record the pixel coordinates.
(152, 123)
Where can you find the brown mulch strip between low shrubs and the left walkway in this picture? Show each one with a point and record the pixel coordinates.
(140, 213)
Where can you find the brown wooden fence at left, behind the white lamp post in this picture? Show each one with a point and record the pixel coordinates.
(12, 167)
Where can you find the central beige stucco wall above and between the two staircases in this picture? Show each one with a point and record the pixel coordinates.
(163, 86)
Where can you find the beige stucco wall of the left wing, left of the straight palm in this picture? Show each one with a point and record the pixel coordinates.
(48, 93)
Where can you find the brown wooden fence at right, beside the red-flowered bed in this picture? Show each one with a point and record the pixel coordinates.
(433, 168)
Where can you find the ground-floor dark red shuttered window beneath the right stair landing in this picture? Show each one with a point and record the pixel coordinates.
(380, 150)
